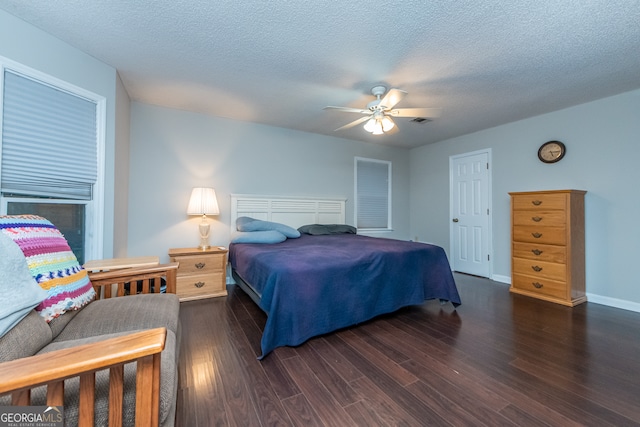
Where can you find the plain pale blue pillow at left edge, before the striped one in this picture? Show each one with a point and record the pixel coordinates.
(19, 293)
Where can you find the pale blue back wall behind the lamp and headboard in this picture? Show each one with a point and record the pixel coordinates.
(173, 151)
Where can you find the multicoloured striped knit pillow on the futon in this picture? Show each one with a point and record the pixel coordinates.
(51, 262)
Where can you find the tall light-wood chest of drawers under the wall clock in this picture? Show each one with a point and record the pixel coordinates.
(547, 245)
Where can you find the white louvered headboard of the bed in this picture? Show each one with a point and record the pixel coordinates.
(292, 211)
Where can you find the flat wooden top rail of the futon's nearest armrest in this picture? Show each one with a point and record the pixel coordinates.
(58, 365)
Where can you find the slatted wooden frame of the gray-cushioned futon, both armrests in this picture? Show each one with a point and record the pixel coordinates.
(20, 376)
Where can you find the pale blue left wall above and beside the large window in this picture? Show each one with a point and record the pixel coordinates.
(28, 45)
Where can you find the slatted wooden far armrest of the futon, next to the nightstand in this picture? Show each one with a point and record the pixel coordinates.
(134, 274)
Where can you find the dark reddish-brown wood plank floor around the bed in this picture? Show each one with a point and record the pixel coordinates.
(499, 359)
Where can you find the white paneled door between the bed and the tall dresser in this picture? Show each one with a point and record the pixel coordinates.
(470, 214)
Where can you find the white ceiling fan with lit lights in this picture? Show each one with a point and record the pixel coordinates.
(379, 113)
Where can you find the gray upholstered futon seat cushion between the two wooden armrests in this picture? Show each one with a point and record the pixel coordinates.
(123, 314)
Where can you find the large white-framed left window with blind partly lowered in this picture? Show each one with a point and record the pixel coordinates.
(51, 151)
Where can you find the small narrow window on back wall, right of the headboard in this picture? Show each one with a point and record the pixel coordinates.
(373, 194)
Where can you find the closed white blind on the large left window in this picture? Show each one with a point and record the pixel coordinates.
(48, 140)
